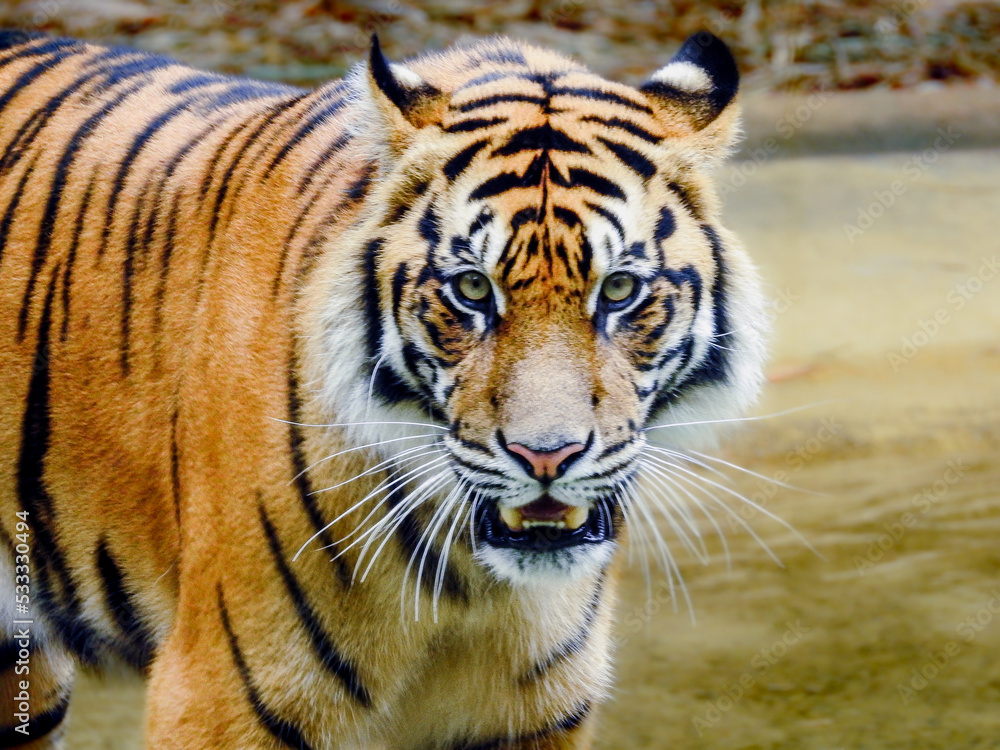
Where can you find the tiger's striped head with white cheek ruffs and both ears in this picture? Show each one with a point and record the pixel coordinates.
(543, 272)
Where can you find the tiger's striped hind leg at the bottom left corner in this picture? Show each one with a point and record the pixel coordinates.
(36, 680)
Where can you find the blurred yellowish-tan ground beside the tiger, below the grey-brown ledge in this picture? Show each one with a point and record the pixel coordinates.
(889, 637)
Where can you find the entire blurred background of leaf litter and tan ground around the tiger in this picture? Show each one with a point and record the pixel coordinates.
(868, 191)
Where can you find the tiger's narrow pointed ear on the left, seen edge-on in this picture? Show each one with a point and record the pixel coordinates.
(405, 101)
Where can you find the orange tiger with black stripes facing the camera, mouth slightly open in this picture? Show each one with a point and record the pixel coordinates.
(328, 410)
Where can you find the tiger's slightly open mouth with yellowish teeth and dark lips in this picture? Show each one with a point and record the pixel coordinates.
(545, 524)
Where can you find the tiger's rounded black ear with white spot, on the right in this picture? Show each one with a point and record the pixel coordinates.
(694, 94)
